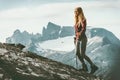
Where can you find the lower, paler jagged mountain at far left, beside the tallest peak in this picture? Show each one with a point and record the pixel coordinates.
(23, 37)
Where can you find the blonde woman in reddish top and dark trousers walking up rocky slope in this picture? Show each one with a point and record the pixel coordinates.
(80, 28)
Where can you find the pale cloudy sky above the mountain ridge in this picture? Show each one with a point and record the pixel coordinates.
(33, 15)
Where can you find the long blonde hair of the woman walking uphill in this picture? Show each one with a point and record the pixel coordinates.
(80, 17)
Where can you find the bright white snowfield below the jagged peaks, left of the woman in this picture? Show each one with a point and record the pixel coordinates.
(60, 44)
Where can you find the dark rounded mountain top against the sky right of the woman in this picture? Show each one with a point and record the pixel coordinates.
(105, 34)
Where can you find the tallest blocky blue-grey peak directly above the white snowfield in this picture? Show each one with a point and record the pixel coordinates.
(54, 31)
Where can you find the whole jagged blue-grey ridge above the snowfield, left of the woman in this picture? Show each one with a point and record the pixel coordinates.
(52, 31)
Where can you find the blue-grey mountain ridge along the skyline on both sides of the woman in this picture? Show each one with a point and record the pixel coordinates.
(54, 31)
